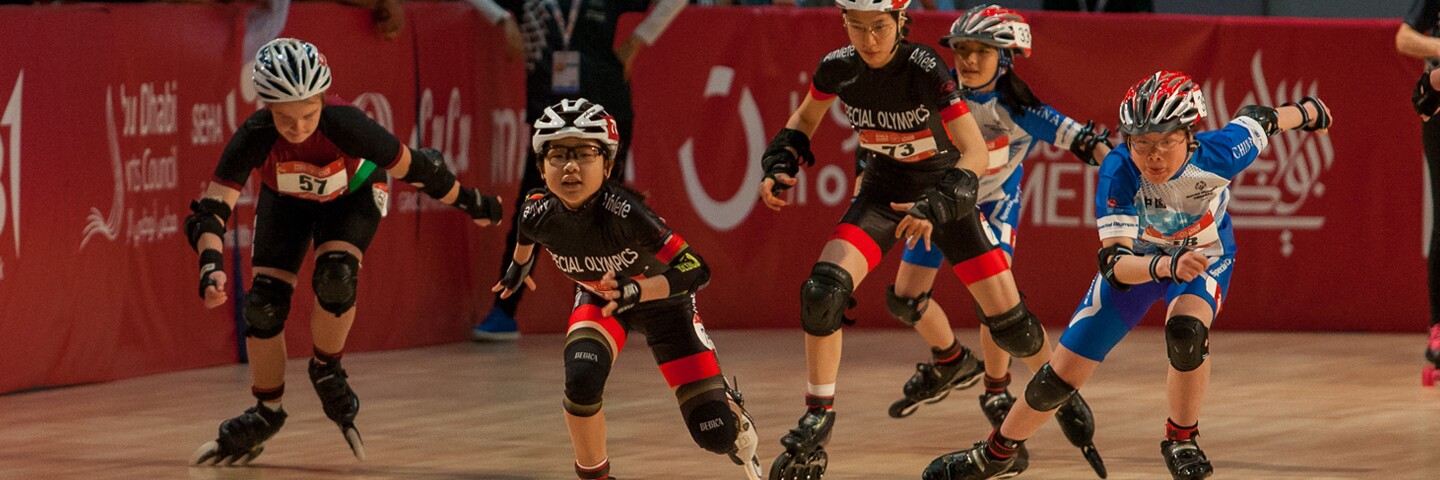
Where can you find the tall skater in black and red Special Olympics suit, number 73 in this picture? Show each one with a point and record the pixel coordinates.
(918, 181)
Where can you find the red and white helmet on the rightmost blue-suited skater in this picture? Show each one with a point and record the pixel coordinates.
(1161, 103)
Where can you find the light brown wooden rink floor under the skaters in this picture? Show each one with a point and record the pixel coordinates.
(1281, 406)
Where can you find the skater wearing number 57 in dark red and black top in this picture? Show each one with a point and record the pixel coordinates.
(323, 182)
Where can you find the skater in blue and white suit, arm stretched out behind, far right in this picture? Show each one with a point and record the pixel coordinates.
(1166, 236)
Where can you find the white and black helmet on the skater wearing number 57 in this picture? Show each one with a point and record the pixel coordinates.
(290, 70)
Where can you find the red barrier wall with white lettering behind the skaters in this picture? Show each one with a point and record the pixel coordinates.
(112, 120)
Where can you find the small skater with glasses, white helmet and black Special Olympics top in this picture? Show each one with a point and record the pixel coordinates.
(631, 273)
